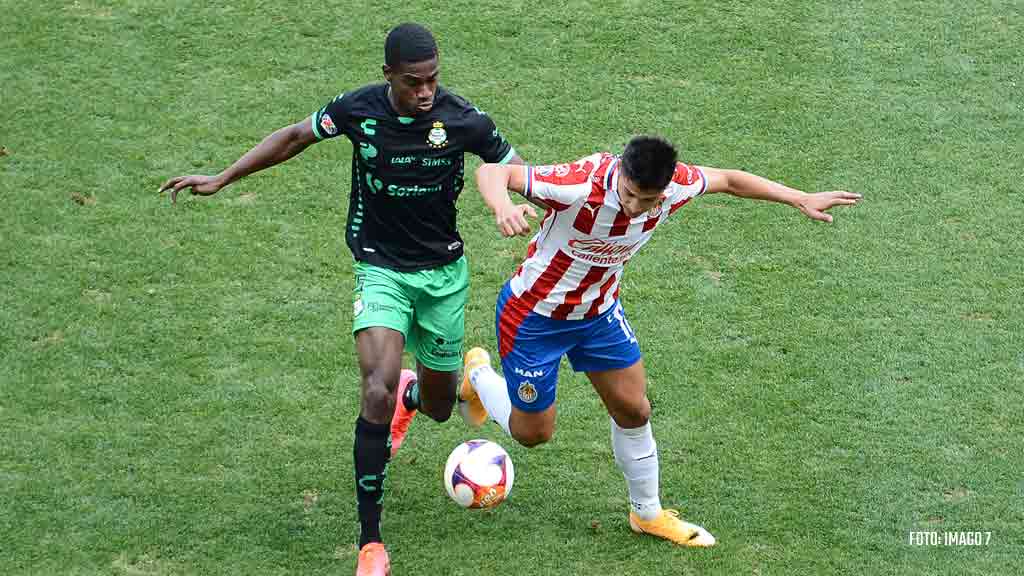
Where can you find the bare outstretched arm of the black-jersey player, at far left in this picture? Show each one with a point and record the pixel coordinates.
(277, 148)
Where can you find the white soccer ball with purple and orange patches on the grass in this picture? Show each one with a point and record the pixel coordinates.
(479, 475)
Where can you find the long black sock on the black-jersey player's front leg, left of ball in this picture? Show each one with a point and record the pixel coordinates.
(372, 451)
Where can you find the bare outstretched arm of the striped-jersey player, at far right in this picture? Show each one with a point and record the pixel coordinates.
(746, 185)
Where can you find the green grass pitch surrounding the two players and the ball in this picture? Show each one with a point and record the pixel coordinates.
(179, 386)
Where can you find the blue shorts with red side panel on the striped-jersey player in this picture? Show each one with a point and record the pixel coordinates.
(533, 348)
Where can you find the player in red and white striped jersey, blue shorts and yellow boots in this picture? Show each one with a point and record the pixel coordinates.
(564, 300)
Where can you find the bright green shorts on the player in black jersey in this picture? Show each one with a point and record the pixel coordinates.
(428, 307)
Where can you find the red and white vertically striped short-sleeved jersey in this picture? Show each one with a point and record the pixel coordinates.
(575, 263)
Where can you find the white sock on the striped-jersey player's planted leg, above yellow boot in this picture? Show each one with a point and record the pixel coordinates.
(636, 455)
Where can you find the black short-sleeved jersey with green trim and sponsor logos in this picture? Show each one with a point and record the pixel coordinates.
(408, 174)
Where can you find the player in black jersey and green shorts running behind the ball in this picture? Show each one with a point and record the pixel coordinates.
(409, 138)
